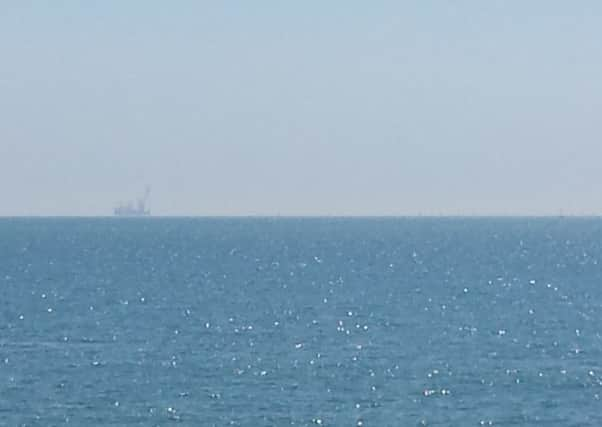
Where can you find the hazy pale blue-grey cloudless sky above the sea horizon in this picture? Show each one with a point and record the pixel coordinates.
(348, 107)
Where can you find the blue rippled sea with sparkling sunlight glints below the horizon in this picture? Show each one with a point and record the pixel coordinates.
(305, 322)
